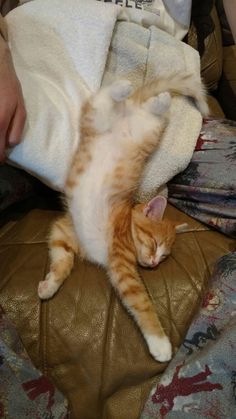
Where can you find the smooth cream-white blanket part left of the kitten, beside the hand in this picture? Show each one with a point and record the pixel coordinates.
(59, 51)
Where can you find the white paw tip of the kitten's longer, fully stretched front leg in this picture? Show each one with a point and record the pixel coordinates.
(159, 347)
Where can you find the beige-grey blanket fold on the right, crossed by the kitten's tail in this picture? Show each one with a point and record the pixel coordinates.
(140, 55)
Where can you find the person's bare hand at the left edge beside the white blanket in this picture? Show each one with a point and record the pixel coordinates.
(12, 108)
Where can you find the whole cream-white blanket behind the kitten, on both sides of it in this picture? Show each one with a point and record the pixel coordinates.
(62, 52)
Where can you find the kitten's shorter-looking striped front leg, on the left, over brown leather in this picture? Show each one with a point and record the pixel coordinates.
(63, 246)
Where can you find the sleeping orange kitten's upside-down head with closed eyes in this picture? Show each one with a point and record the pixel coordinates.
(153, 236)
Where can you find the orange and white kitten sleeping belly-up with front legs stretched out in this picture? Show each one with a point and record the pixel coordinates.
(119, 129)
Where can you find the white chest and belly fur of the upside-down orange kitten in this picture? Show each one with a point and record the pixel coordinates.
(89, 206)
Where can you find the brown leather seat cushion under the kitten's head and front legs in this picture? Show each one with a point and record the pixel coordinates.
(83, 338)
